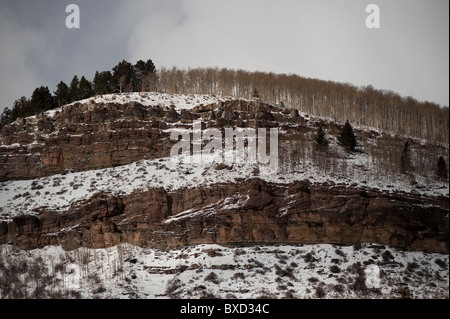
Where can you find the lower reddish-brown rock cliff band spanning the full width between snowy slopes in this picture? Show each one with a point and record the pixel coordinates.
(250, 212)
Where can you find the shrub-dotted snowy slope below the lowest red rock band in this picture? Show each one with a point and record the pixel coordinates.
(212, 271)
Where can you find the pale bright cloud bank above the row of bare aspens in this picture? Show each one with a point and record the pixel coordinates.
(321, 39)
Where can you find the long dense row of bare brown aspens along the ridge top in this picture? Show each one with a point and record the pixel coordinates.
(385, 110)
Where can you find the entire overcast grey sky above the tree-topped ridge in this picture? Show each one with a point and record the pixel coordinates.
(325, 39)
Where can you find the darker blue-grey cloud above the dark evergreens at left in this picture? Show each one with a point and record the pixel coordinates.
(37, 48)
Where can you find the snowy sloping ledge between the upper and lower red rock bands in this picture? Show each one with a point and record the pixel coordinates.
(58, 192)
